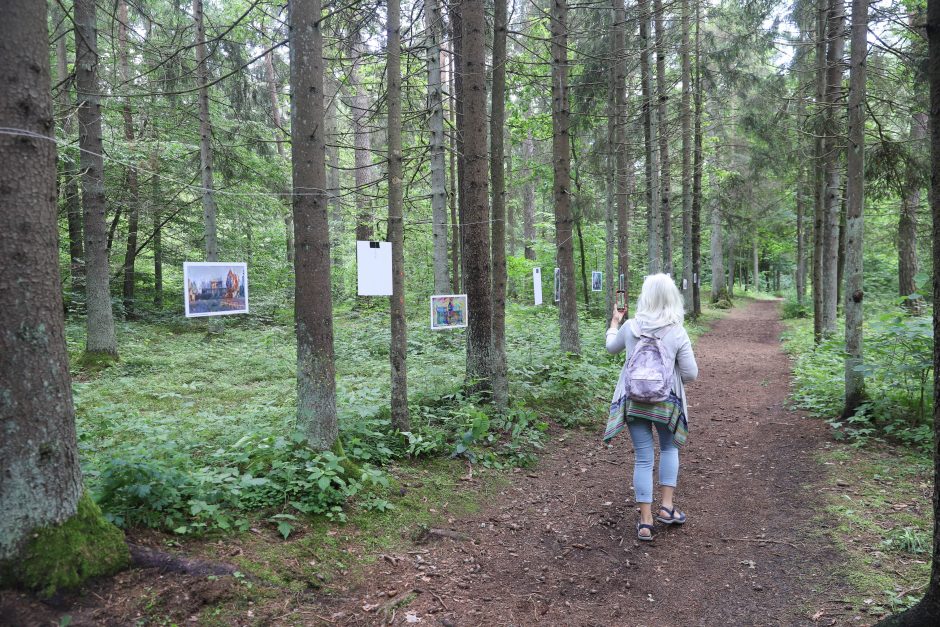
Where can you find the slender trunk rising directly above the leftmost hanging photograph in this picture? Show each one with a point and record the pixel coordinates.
(209, 209)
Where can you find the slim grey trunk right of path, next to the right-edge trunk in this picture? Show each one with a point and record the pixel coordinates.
(855, 209)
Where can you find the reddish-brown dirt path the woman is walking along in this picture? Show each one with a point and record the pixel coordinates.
(559, 547)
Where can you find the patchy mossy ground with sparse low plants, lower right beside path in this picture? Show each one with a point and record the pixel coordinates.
(878, 512)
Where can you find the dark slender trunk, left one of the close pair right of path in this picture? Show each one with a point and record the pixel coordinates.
(819, 195)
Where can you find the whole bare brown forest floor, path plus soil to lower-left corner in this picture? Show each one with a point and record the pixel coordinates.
(555, 544)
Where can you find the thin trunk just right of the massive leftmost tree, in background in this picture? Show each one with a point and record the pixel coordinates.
(73, 209)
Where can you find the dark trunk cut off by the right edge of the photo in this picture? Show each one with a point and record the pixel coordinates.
(927, 611)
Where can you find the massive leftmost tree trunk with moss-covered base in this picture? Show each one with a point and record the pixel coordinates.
(41, 493)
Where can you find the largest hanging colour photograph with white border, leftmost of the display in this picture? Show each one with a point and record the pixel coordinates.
(215, 288)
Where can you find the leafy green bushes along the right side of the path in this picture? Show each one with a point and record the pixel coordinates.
(898, 369)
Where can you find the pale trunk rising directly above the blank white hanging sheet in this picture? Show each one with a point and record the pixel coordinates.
(362, 141)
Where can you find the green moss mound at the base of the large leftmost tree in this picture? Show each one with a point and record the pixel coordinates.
(64, 556)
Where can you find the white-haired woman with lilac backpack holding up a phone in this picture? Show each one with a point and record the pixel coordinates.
(656, 329)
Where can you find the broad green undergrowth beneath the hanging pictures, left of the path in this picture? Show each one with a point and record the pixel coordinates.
(192, 434)
